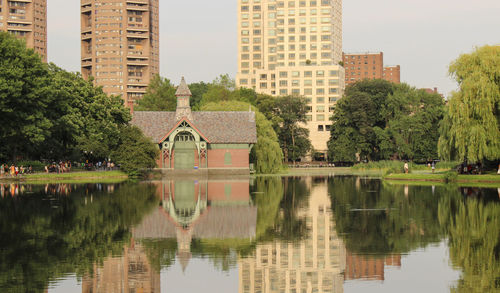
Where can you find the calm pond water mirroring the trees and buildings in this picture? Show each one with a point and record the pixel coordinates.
(302, 234)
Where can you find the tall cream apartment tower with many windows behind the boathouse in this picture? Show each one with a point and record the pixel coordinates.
(294, 48)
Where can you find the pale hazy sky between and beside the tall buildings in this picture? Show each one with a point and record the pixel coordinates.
(198, 37)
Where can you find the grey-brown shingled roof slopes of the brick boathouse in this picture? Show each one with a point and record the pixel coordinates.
(217, 127)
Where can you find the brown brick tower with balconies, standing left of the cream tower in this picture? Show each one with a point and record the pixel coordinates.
(120, 45)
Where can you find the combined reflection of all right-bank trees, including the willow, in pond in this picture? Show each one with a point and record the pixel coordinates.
(378, 220)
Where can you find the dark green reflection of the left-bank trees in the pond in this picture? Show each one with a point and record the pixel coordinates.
(45, 234)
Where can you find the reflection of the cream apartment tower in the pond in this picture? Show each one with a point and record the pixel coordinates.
(315, 264)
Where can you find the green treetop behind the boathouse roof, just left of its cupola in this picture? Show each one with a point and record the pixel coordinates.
(160, 96)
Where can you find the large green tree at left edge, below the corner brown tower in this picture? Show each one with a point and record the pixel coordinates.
(23, 97)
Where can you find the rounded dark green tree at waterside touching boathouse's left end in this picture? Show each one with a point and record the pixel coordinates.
(135, 152)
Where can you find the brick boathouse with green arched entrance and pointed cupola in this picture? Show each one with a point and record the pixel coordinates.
(215, 142)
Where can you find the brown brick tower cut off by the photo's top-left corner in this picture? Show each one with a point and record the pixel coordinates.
(26, 19)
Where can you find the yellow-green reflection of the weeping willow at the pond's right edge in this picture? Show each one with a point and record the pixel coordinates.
(472, 220)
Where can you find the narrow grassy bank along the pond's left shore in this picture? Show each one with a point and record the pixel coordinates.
(71, 177)
